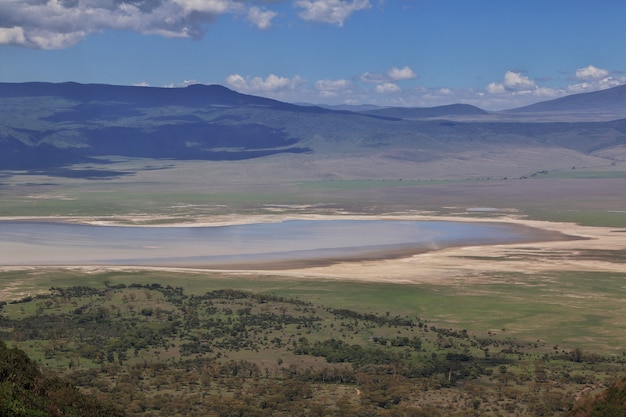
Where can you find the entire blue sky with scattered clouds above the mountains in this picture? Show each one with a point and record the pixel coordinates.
(495, 54)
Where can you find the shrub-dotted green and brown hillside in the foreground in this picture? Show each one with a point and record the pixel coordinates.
(157, 350)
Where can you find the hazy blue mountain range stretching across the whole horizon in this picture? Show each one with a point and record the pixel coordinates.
(45, 127)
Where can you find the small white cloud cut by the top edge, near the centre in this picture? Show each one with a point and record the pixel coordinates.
(334, 12)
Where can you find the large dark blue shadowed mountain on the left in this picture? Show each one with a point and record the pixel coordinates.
(46, 125)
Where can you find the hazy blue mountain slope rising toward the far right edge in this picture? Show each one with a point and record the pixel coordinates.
(611, 101)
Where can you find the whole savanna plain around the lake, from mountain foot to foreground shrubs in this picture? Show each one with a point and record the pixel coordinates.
(519, 329)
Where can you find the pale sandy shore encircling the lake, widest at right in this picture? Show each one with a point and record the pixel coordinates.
(447, 265)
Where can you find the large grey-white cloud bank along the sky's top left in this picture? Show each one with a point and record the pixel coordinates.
(56, 24)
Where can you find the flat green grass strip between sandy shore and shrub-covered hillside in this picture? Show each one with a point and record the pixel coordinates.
(575, 308)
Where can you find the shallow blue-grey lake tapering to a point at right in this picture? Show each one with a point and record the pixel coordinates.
(47, 243)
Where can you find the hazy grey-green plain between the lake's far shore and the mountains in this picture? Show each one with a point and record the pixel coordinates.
(196, 190)
